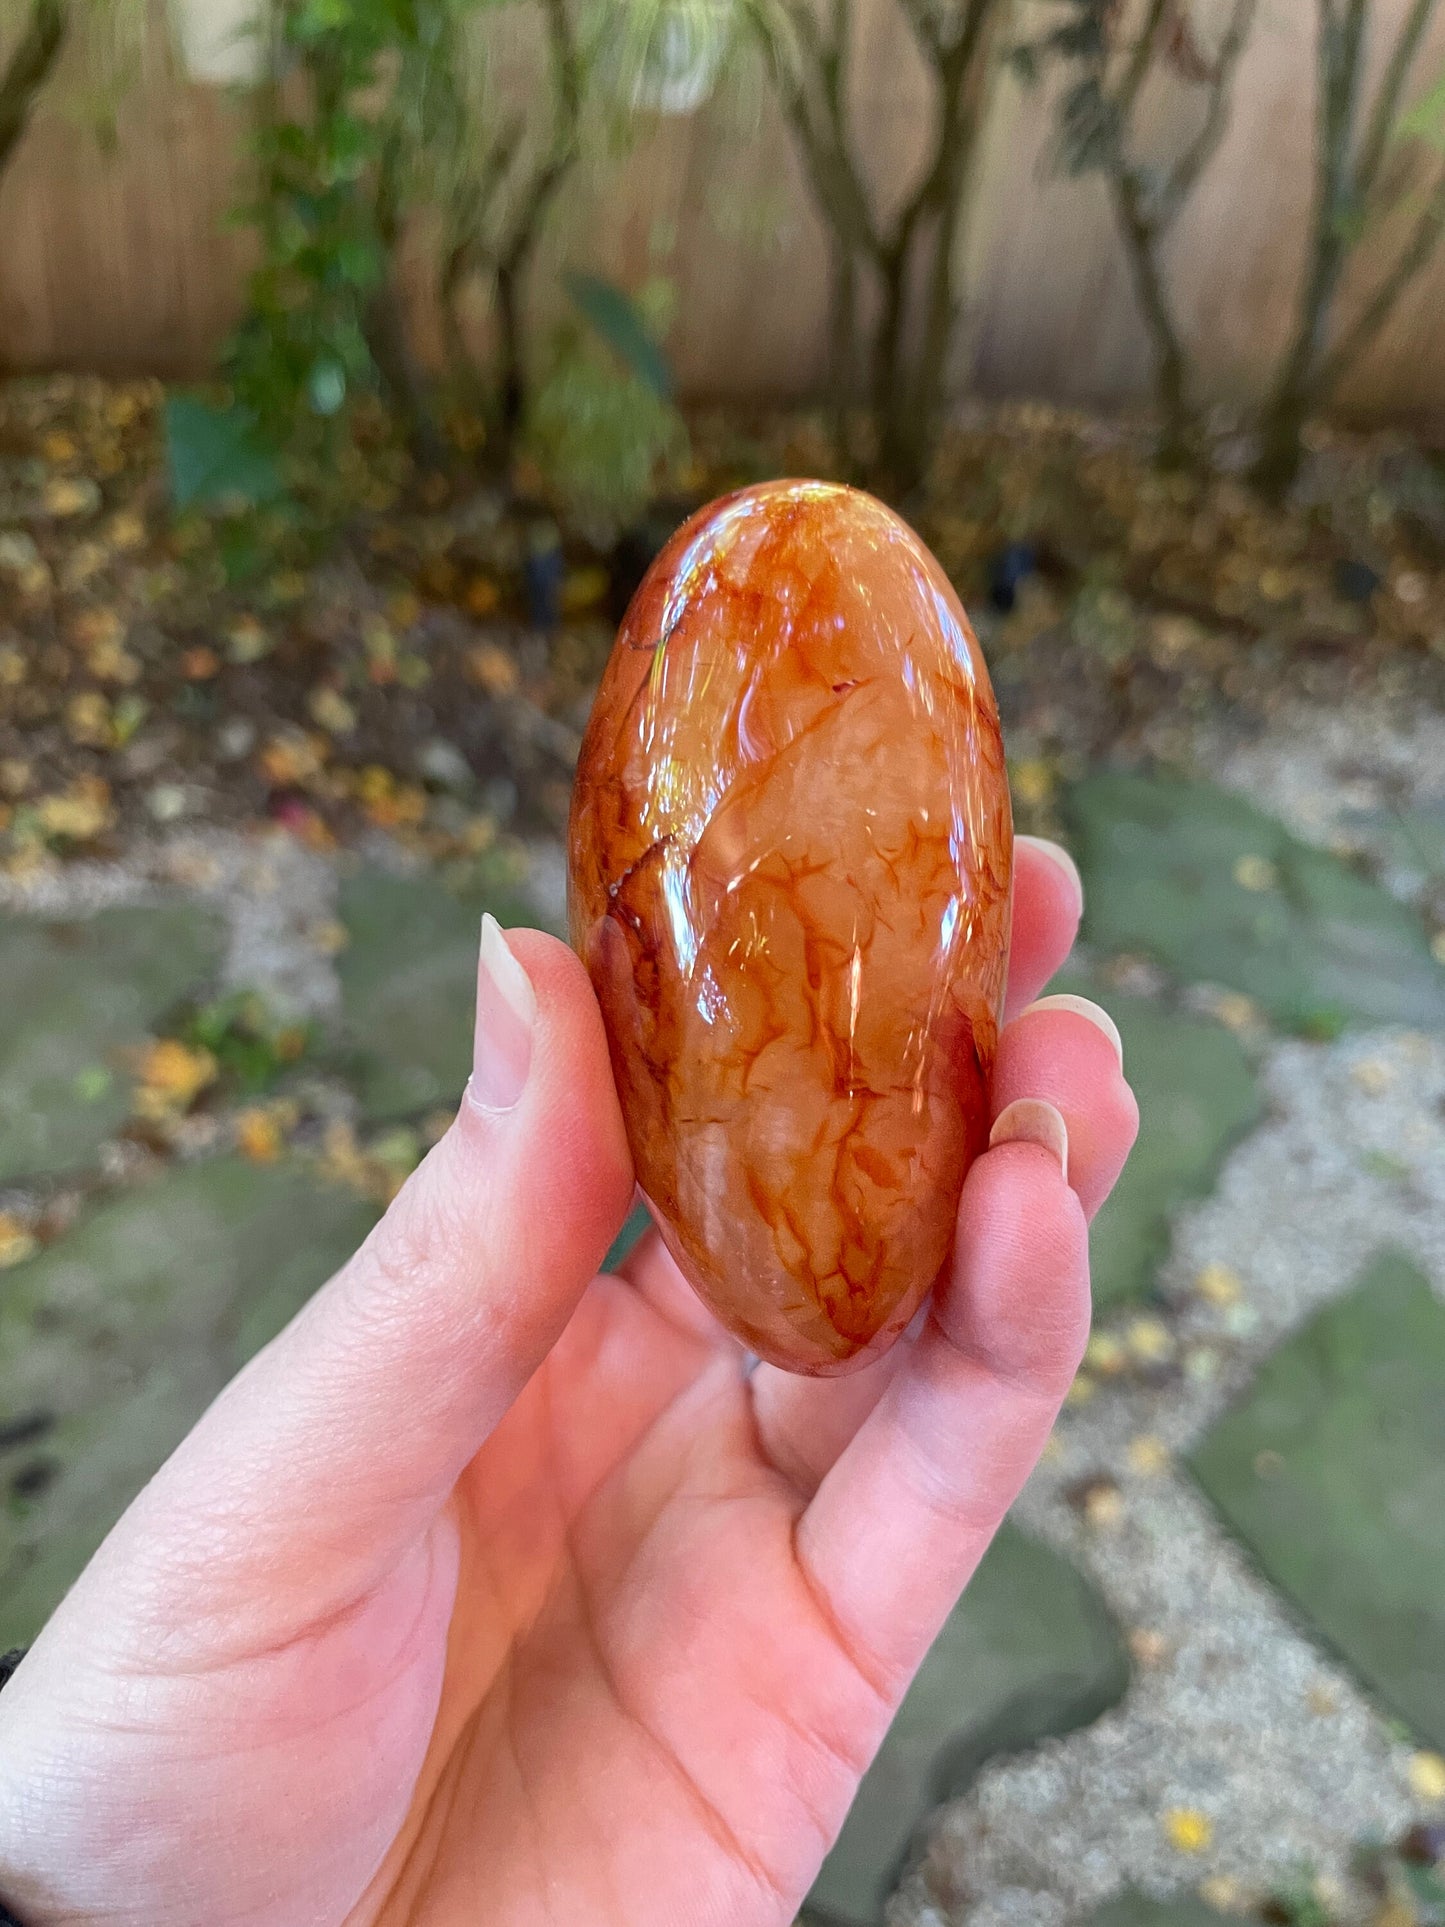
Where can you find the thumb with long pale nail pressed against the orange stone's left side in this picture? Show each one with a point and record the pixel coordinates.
(344, 1439)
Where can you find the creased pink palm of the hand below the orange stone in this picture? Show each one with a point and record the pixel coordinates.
(635, 1641)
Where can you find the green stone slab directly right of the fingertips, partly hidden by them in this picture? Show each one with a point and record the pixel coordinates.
(1197, 1097)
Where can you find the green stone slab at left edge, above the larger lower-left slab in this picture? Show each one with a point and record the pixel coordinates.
(74, 995)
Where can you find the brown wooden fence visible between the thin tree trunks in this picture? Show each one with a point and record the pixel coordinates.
(120, 259)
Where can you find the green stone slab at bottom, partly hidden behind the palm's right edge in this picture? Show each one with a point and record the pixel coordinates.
(1028, 1652)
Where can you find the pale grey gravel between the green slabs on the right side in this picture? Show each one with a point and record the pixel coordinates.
(1234, 1712)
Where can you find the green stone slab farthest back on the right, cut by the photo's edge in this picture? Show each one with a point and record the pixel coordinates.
(1169, 870)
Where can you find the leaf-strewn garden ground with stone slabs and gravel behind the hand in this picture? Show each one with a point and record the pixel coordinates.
(253, 816)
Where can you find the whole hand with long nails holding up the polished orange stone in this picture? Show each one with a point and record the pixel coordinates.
(496, 1591)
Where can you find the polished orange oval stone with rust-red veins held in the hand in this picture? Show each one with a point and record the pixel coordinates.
(791, 862)
